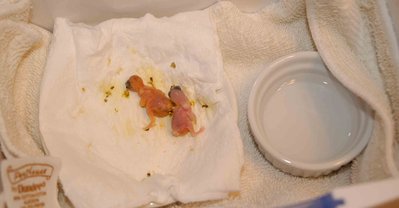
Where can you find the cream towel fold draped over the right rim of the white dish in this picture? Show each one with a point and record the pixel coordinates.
(354, 45)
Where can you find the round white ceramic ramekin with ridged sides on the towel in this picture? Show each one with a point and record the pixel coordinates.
(303, 120)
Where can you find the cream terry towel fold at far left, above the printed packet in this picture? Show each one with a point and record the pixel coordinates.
(23, 50)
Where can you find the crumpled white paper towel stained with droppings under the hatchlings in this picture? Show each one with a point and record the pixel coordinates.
(87, 120)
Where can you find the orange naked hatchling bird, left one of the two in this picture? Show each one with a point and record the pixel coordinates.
(153, 100)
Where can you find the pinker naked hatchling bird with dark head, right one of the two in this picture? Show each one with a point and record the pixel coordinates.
(183, 119)
